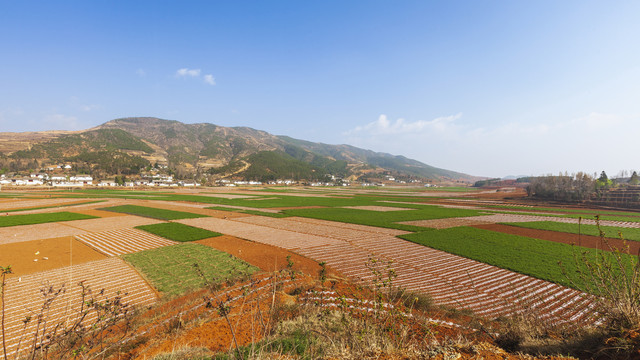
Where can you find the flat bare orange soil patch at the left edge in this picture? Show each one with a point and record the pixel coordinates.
(51, 254)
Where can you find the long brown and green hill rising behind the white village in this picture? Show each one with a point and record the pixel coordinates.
(128, 144)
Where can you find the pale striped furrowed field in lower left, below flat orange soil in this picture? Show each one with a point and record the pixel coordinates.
(25, 297)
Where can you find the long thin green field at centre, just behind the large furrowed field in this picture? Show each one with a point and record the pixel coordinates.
(385, 219)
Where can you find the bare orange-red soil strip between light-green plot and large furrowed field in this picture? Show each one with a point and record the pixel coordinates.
(266, 257)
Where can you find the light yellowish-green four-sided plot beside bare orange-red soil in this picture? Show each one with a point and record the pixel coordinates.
(171, 269)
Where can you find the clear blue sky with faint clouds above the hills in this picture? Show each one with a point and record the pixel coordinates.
(489, 88)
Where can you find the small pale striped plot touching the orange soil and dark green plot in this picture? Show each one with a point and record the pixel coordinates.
(124, 241)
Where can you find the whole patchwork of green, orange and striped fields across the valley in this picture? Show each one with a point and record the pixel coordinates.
(450, 245)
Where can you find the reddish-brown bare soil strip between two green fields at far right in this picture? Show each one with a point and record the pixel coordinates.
(593, 242)
